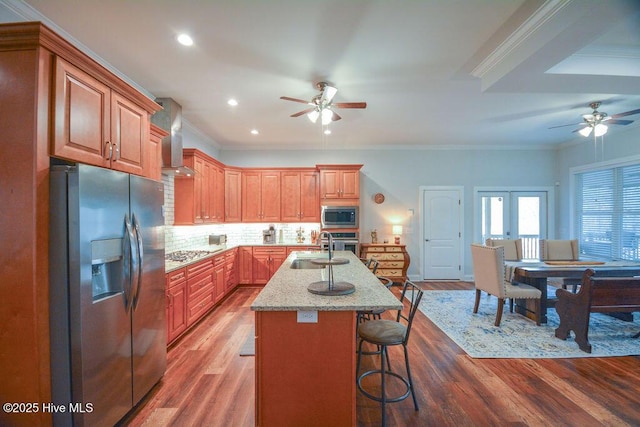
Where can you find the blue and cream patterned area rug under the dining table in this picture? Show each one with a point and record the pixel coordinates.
(517, 336)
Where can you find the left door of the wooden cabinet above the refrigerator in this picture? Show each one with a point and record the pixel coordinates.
(82, 116)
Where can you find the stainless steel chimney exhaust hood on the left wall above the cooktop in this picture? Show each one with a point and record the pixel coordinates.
(170, 119)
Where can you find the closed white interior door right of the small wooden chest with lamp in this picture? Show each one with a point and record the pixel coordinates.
(442, 219)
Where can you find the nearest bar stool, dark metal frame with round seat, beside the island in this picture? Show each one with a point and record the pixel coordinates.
(385, 333)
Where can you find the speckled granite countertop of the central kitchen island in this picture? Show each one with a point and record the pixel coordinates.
(287, 289)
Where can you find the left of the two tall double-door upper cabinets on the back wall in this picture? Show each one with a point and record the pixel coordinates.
(261, 196)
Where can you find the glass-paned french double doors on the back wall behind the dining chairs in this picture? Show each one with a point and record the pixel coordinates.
(513, 215)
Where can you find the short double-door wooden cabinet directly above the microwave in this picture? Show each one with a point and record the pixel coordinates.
(339, 181)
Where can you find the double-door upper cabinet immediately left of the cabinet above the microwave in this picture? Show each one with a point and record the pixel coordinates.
(300, 200)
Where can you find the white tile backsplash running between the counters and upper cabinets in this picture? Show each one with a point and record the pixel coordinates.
(184, 237)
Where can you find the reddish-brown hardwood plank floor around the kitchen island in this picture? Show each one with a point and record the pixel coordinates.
(208, 383)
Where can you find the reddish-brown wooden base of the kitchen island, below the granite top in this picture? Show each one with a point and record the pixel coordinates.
(288, 392)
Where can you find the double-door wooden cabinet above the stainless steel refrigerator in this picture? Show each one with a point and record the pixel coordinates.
(95, 124)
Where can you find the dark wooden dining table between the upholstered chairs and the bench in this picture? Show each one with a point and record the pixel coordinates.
(535, 272)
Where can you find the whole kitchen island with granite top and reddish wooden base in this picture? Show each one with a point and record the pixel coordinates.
(306, 343)
